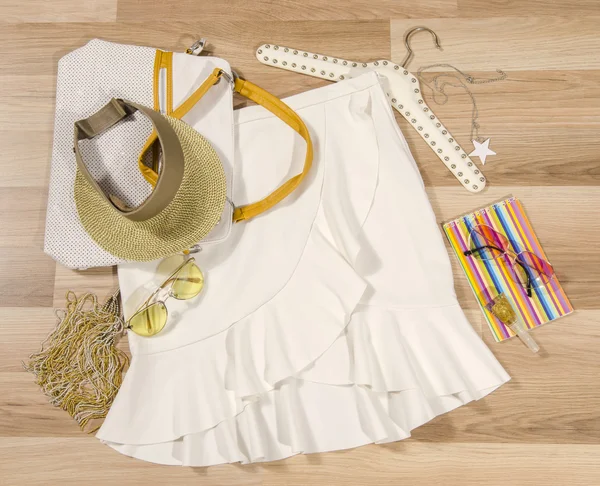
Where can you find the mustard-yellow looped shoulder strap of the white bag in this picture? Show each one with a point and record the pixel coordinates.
(269, 102)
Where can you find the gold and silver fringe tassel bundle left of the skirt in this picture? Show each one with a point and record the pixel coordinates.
(79, 366)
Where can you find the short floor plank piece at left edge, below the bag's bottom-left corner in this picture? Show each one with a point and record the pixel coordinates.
(27, 278)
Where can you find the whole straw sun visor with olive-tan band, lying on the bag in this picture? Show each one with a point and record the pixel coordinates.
(185, 205)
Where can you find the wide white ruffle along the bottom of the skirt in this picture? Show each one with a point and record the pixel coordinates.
(379, 380)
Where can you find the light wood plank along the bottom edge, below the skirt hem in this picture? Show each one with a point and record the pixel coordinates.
(401, 463)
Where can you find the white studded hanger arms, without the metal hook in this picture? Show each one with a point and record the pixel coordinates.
(404, 92)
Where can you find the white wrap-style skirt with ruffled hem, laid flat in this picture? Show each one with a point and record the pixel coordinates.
(328, 323)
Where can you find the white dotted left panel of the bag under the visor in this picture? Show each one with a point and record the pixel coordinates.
(87, 79)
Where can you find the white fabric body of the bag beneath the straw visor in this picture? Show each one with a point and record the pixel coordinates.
(87, 79)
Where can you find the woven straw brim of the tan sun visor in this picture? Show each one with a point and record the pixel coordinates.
(193, 212)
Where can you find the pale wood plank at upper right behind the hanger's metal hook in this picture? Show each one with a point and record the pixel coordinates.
(511, 44)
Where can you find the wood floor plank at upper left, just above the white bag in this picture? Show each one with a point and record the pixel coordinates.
(234, 40)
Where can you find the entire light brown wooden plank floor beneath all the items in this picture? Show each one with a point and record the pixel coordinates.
(543, 428)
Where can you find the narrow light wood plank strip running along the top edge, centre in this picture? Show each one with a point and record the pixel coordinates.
(284, 10)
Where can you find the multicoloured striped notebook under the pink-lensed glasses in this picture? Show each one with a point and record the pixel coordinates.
(488, 278)
